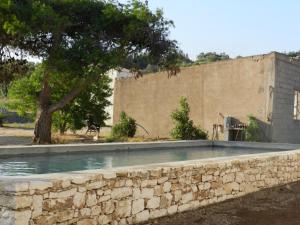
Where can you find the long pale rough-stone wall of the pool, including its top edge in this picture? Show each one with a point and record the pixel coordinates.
(136, 194)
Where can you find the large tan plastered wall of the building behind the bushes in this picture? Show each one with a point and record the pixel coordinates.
(234, 88)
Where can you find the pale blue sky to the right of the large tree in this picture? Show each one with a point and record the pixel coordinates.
(236, 27)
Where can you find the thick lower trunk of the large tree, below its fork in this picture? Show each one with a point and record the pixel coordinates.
(42, 131)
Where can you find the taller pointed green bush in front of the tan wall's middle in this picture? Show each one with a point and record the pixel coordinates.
(184, 127)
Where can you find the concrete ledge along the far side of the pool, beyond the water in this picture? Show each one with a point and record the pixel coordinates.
(67, 148)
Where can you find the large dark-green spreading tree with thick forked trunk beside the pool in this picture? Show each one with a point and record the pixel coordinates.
(82, 39)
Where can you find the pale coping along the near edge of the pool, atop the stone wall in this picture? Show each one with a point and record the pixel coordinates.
(7, 181)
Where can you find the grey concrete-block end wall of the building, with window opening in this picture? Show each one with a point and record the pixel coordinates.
(287, 80)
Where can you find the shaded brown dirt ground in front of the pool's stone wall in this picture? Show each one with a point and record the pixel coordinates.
(276, 206)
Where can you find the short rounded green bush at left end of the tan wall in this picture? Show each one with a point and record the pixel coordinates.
(126, 127)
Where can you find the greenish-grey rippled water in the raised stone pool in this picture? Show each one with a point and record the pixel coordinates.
(52, 163)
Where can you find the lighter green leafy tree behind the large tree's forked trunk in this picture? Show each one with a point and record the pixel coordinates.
(91, 103)
